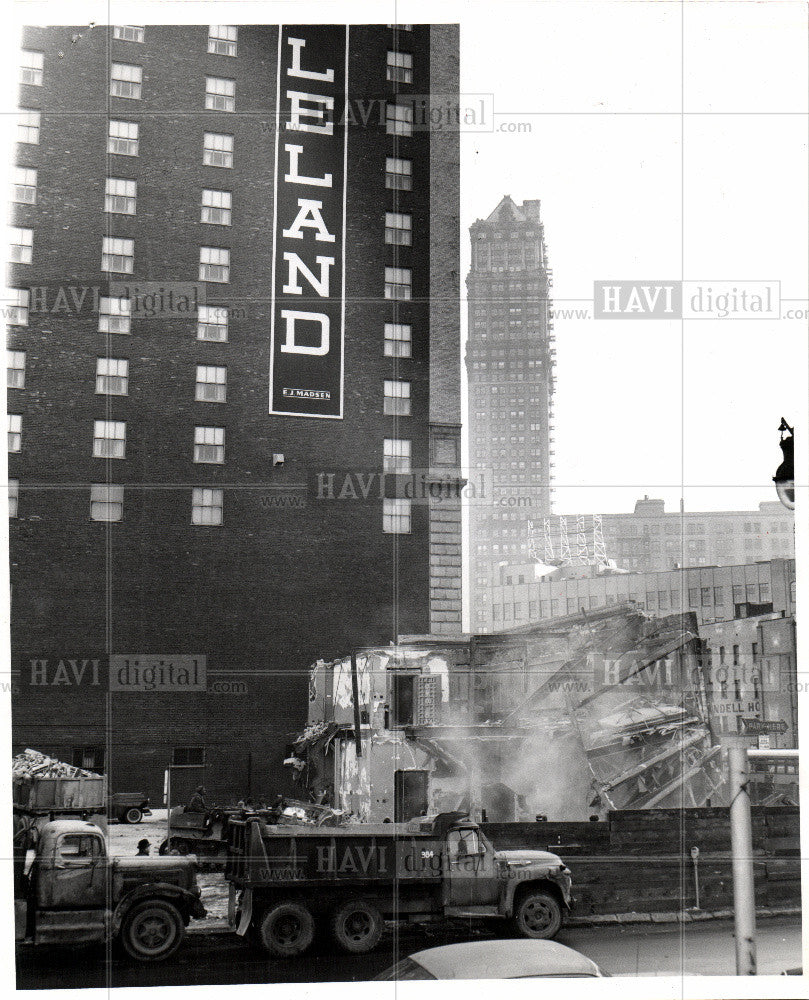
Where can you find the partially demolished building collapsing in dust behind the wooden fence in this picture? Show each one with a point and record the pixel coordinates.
(566, 718)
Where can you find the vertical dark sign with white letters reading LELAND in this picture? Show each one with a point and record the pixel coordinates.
(308, 273)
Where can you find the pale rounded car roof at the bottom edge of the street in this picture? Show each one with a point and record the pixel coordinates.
(511, 959)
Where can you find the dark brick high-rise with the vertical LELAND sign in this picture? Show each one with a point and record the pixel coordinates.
(235, 306)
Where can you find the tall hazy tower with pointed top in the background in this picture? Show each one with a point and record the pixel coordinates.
(510, 363)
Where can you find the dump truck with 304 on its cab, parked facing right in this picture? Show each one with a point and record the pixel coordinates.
(285, 880)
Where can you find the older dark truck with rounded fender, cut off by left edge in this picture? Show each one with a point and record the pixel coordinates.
(71, 893)
